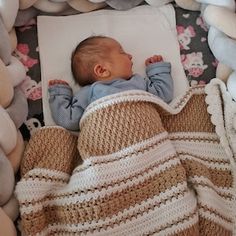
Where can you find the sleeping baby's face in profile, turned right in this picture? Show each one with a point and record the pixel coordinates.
(121, 62)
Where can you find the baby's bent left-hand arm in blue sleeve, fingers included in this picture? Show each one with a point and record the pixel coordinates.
(65, 108)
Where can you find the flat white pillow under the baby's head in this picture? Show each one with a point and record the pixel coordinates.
(142, 31)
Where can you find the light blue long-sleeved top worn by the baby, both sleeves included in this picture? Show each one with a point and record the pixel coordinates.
(67, 109)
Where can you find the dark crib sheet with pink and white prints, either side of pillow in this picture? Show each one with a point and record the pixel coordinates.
(198, 61)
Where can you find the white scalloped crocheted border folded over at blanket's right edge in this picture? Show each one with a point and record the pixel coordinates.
(218, 98)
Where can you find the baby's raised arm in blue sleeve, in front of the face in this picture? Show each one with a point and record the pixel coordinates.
(160, 80)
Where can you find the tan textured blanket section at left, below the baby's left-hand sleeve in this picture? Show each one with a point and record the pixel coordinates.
(51, 143)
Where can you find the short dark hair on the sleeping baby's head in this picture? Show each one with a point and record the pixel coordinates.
(85, 56)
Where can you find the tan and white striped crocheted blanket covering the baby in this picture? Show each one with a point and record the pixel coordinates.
(146, 170)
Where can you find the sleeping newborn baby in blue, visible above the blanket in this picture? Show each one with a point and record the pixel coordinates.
(101, 66)
